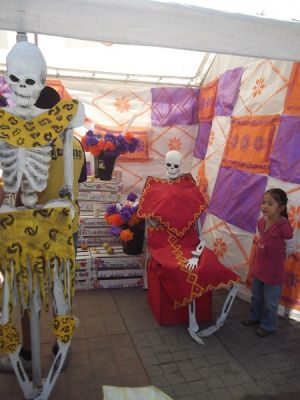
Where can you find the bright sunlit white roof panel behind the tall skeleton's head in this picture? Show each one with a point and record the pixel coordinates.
(98, 60)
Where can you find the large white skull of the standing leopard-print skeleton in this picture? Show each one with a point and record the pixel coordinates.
(26, 73)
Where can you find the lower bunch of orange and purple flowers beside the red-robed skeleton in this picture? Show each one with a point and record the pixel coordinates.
(123, 218)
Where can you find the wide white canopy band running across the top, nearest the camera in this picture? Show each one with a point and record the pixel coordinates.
(151, 23)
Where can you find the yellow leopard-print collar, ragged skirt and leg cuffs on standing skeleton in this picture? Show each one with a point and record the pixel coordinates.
(36, 241)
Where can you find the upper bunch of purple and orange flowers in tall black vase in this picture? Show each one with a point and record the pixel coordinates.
(109, 144)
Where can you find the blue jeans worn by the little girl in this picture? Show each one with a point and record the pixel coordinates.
(264, 304)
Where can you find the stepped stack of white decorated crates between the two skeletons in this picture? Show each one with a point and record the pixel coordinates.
(99, 267)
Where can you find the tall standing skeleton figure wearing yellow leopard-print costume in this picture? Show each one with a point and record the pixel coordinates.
(36, 247)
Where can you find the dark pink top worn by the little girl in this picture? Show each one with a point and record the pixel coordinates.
(269, 261)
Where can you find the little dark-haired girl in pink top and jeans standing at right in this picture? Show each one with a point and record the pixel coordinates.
(275, 237)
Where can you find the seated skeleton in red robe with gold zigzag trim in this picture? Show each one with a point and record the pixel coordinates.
(207, 271)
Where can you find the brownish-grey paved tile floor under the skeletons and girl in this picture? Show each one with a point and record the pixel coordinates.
(119, 343)
